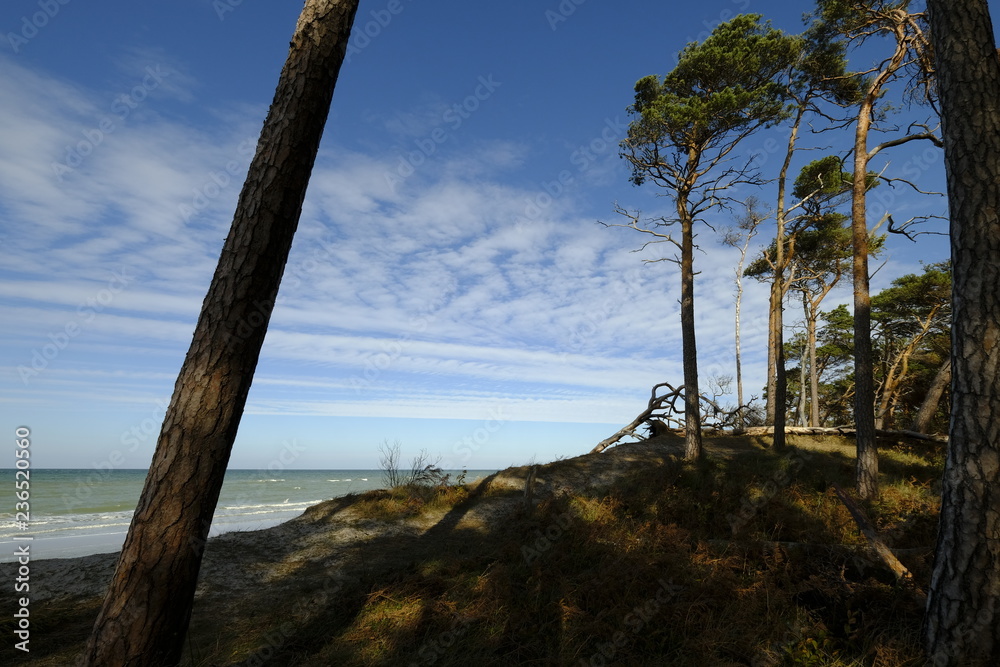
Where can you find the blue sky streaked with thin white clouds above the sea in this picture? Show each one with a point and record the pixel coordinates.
(449, 286)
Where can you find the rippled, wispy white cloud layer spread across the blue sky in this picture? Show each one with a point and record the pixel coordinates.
(431, 298)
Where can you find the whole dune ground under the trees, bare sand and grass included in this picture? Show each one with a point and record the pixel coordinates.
(630, 557)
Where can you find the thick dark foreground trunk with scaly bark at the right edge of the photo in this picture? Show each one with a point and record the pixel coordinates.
(962, 624)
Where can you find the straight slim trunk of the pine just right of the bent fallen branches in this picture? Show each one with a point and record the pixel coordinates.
(692, 407)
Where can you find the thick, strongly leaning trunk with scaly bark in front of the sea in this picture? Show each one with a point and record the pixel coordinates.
(147, 608)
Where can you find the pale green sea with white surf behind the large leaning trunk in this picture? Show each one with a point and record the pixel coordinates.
(81, 512)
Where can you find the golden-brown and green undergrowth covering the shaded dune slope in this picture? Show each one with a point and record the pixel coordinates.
(731, 561)
